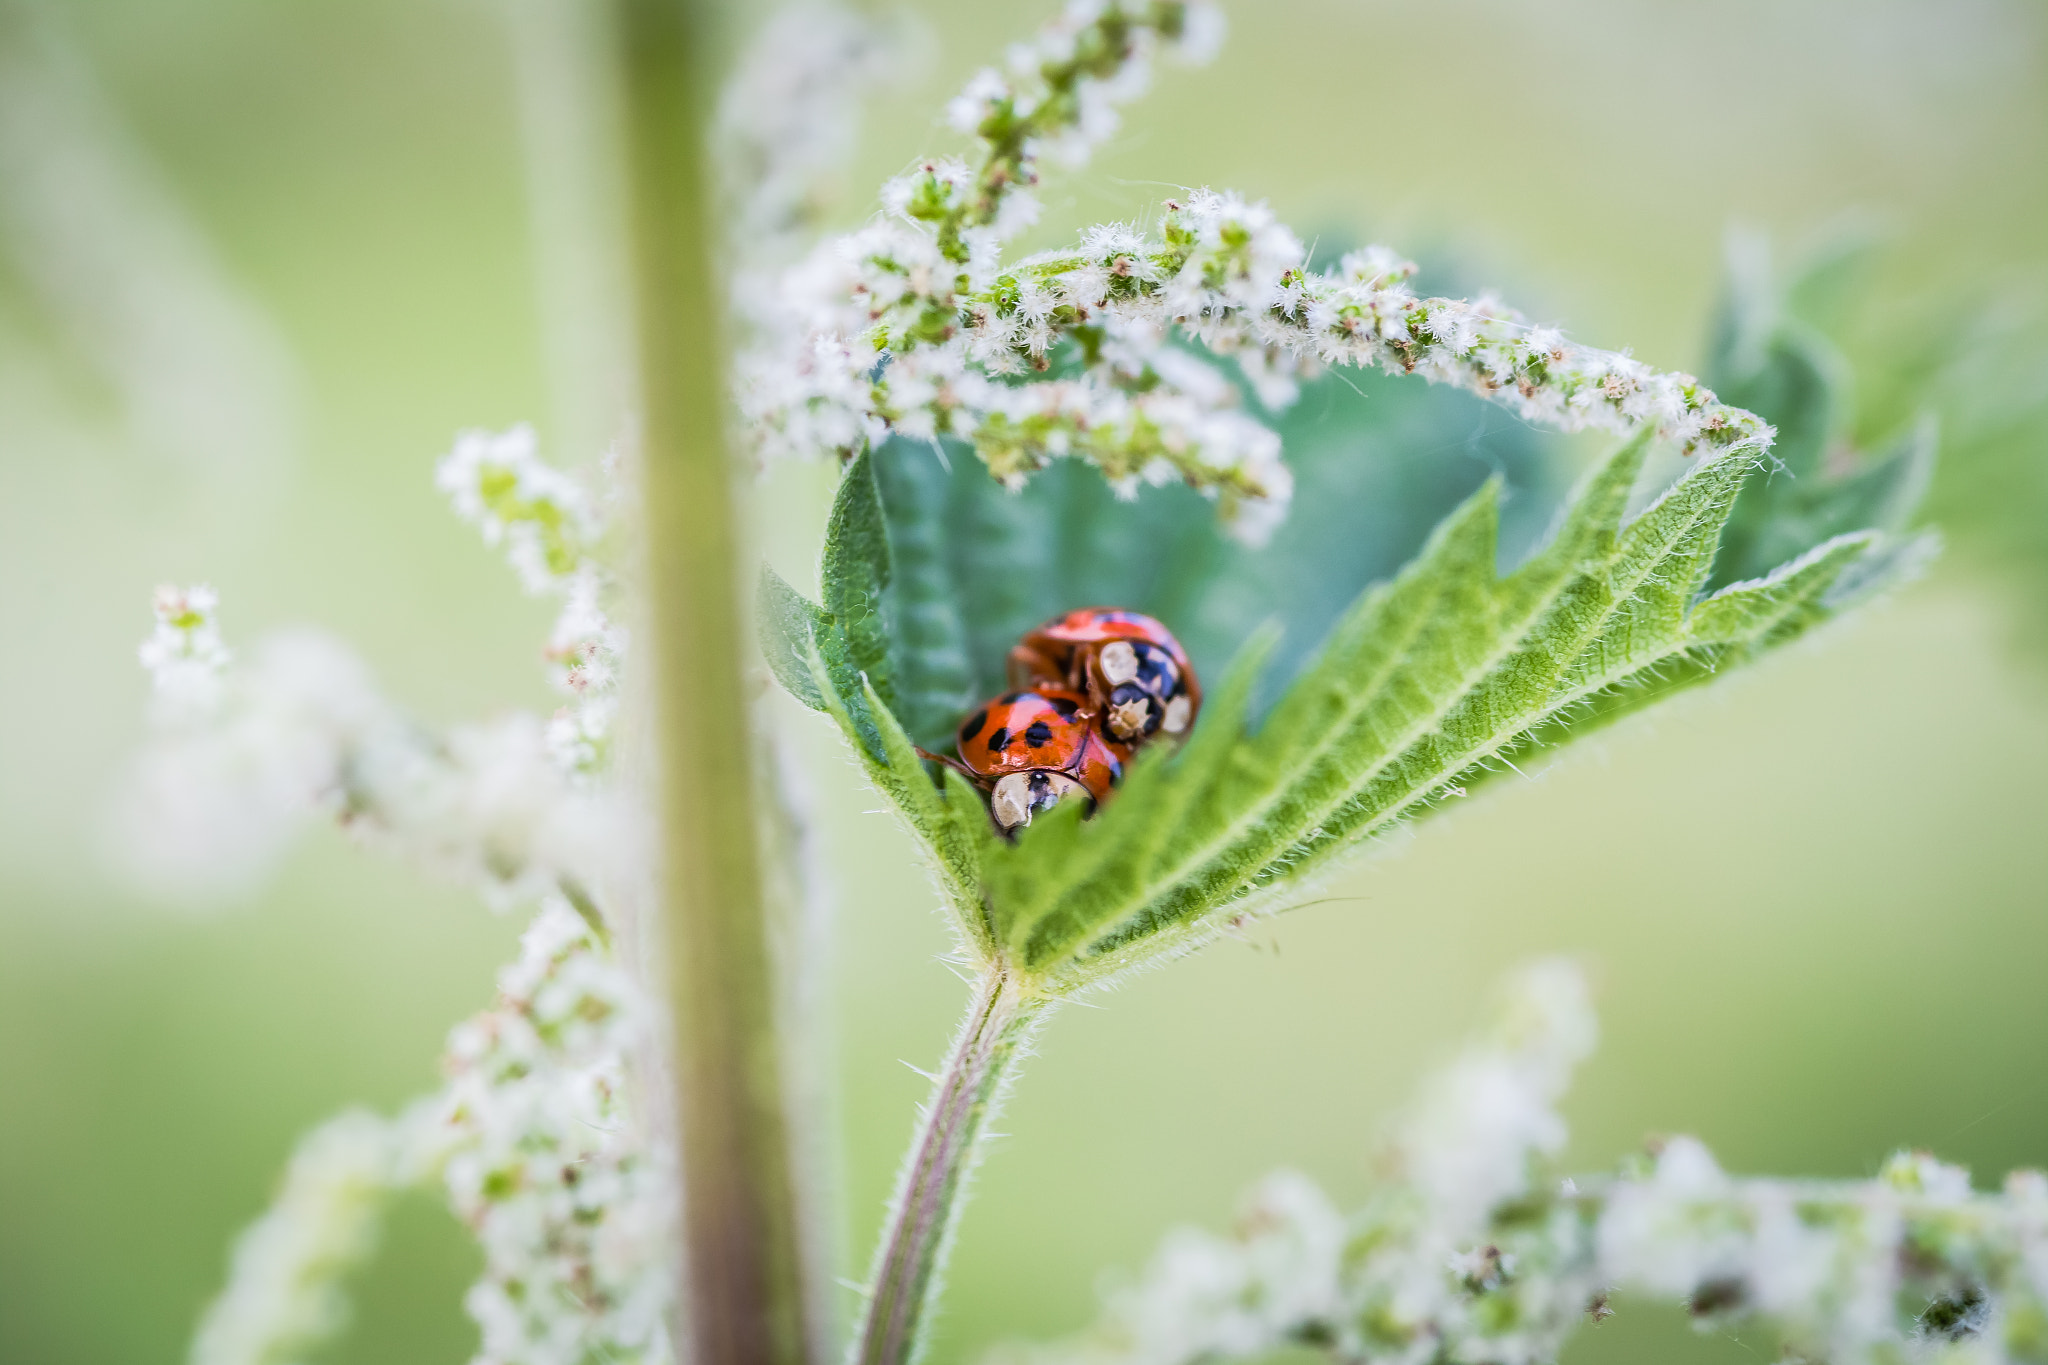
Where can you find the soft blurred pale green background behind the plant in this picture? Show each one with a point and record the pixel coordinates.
(261, 261)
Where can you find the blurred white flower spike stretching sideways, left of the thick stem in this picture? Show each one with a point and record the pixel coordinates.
(237, 768)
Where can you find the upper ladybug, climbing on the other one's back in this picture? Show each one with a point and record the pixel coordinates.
(1129, 666)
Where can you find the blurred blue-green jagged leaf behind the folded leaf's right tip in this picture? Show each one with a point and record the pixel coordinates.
(1775, 357)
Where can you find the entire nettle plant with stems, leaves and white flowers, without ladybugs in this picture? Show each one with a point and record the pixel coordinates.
(1127, 421)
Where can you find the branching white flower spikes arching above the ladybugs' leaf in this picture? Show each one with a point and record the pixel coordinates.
(914, 326)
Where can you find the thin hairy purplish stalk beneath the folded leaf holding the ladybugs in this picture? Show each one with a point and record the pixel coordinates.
(929, 1196)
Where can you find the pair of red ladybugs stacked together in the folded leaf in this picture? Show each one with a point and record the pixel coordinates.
(1091, 689)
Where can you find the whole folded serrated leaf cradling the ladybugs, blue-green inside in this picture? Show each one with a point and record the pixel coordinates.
(1428, 682)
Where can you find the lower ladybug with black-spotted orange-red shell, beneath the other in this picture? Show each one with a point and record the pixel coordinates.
(1037, 748)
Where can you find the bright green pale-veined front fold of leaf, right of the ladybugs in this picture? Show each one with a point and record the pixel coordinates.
(1428, 682)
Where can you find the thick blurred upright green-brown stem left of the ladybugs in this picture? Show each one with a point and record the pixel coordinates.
(740, 1301)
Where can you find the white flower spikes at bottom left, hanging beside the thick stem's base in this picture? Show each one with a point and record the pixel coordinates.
(542, 1155)
